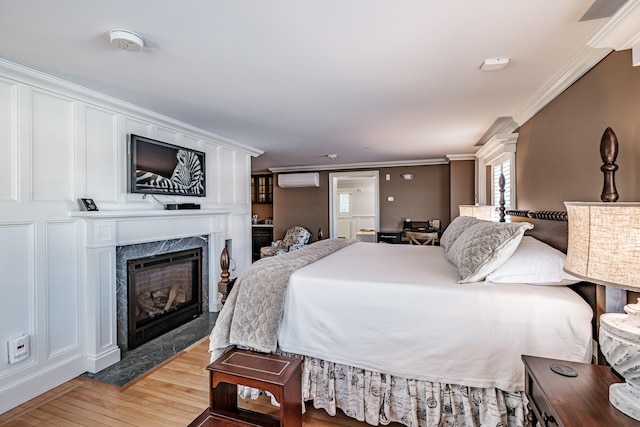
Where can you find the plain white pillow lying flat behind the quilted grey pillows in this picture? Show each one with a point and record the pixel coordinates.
(533, 262)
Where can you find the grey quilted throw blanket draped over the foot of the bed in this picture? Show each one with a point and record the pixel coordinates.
(252, 312)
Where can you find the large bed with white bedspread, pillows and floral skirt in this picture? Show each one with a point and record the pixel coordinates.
(398, 333)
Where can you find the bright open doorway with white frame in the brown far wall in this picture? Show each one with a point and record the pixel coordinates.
(353, 204)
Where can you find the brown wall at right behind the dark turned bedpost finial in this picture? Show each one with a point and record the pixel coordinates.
(558, 157)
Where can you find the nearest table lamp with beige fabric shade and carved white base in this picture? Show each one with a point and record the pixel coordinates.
(604, 248)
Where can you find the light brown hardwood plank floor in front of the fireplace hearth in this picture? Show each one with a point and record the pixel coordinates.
(171, 395)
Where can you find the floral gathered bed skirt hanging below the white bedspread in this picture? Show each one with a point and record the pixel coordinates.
(381, 399)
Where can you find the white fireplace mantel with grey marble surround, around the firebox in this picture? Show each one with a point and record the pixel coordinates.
(114, 237)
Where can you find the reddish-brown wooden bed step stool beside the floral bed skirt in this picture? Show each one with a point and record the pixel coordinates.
(279, 375)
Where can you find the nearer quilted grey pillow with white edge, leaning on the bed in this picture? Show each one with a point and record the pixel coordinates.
(484, 247)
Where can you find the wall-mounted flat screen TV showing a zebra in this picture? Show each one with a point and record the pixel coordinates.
(161, 168)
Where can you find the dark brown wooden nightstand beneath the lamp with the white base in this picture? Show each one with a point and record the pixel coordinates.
(583, 401)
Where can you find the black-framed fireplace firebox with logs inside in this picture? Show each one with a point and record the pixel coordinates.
(163, 292)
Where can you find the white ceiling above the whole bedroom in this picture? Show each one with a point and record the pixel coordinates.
(368, 80)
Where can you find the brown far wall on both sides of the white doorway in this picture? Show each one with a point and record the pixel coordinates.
(425, 197)
